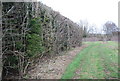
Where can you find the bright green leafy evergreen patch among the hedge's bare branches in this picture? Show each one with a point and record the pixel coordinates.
(34, 38)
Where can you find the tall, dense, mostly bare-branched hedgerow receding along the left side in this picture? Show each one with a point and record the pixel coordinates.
(31, 31)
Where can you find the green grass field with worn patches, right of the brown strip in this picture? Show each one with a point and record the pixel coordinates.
(99, 60)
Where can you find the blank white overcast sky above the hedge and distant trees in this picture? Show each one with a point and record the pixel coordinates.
(94, 11)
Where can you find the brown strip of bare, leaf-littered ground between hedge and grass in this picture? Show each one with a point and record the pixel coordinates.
(55, 67)
